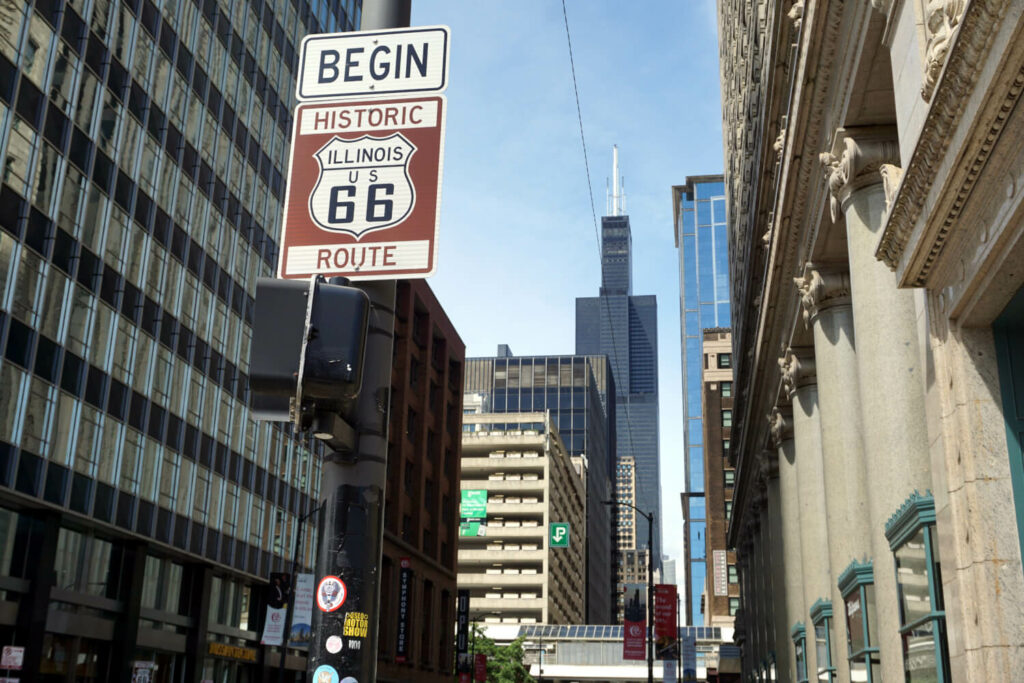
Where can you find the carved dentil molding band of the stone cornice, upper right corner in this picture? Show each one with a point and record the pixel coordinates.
(967, 59)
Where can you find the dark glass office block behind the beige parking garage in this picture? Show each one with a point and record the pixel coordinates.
(576, 390)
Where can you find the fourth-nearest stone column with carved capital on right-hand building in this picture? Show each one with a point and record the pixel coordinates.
(781, 422)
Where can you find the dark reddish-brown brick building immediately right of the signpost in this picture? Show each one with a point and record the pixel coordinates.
(420, 517)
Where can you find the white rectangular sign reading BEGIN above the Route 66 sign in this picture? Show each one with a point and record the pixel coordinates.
(366, 64)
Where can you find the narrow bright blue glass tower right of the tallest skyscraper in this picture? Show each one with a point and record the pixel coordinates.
(699, 211)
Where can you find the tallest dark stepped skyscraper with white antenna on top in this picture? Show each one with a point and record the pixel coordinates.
(624, 328)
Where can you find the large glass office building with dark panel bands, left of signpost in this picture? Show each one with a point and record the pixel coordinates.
(145, 147)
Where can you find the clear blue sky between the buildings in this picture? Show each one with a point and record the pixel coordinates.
(518, 238)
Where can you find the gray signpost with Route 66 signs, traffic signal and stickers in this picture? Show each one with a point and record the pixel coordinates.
(347, 228)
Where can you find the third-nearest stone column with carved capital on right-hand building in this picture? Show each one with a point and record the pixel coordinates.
(799, 381)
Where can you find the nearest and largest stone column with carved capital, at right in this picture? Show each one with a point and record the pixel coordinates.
(890, 374)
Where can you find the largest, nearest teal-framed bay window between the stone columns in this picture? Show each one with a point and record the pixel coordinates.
(923, 627)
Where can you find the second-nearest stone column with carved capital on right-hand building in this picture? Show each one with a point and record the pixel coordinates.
(826, 297)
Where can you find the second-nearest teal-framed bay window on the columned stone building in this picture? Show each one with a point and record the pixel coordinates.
(857, 584)
